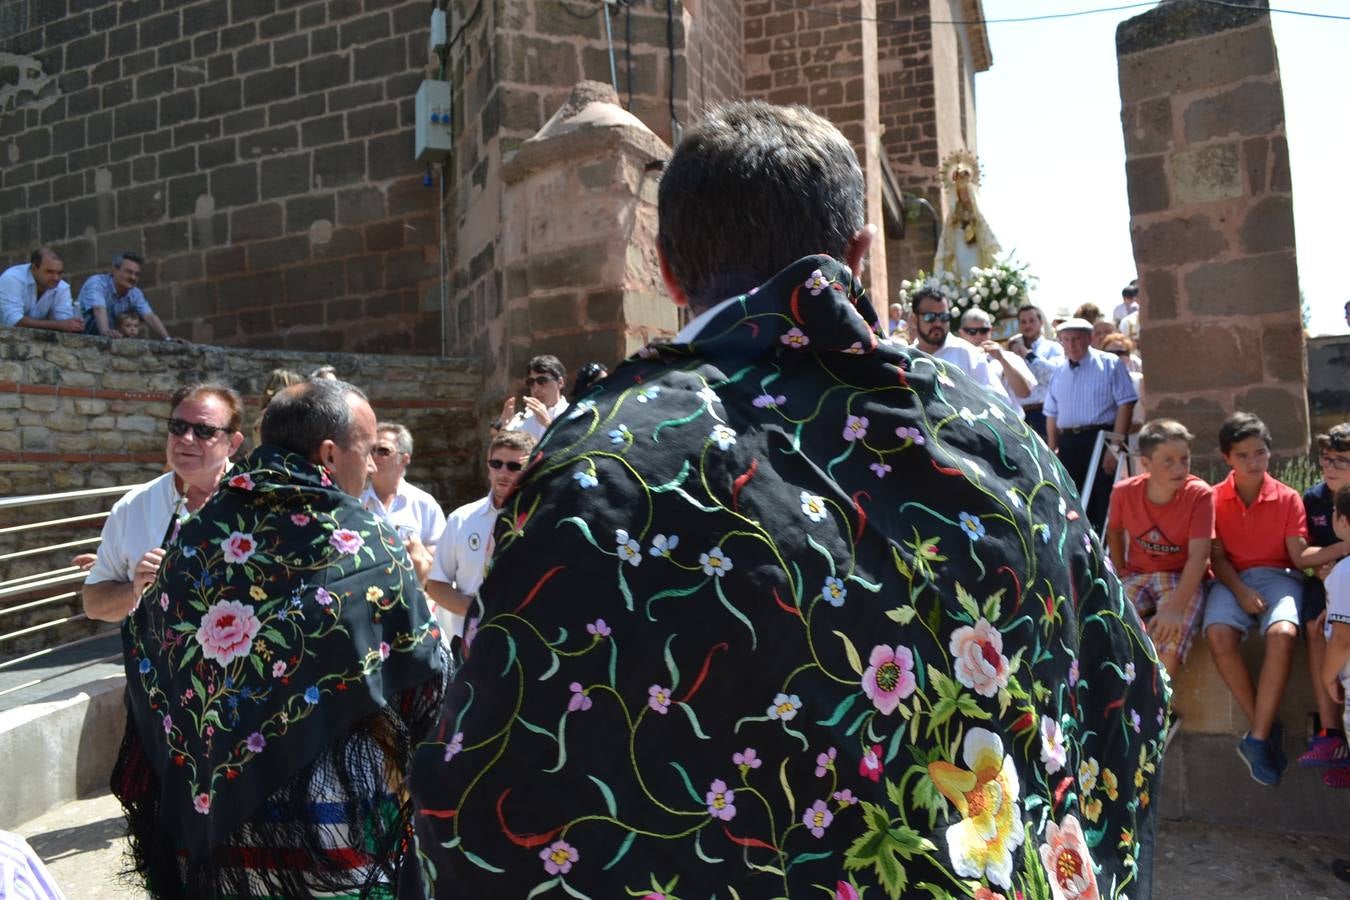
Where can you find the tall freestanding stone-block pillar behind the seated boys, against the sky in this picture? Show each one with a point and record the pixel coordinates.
(1212, 218)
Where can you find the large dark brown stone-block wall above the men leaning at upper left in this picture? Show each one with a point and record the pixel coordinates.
(259, 152)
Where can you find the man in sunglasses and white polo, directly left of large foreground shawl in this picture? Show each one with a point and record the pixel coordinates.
(468, 542)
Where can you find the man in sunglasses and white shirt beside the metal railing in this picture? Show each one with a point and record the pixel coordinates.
(203, 435)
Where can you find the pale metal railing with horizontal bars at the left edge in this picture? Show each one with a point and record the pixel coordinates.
(33, 589)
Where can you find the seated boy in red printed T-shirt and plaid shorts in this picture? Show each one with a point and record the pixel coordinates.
(1159, 536)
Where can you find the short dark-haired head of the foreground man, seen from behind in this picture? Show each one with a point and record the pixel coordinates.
(751, 190)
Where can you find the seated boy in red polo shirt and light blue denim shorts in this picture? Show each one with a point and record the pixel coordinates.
(1259, 547)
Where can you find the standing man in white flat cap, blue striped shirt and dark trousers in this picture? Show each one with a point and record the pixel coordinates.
(1091, 395)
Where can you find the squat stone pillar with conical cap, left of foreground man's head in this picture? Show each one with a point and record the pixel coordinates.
(580, 241)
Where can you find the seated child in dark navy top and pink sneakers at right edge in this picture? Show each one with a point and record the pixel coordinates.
(1328, 747)
